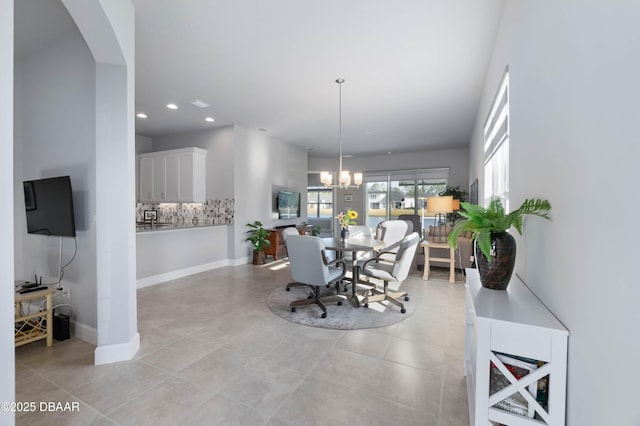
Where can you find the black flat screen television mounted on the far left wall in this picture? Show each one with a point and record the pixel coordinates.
(49, 207)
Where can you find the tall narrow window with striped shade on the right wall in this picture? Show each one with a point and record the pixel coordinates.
(496, 146)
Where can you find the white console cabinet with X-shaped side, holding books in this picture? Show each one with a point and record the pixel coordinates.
(514, 345)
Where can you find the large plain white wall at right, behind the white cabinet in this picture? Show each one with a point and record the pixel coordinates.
(574, 68)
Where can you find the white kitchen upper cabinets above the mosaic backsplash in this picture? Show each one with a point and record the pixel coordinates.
(174, 176)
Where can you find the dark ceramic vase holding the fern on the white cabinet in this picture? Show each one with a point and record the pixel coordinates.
(496, 274)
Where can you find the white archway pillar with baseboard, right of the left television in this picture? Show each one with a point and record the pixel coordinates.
(108, 29)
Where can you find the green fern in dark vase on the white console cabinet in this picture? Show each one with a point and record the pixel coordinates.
(495, 248)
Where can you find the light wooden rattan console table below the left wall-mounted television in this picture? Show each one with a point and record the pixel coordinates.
(36, 326)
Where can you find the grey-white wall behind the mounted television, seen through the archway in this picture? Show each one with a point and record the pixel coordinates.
(56, 85)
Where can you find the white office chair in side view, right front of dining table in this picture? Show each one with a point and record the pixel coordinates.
(395, 270)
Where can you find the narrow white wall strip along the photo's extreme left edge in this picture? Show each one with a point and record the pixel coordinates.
(7, 351)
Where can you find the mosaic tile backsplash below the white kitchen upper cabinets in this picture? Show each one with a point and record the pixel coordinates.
(211, 212)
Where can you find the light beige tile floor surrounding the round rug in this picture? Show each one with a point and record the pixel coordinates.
(212, 353)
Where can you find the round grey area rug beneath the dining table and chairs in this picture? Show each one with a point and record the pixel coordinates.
(345, 317)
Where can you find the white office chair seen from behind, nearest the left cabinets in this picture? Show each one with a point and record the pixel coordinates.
(309, 266)
